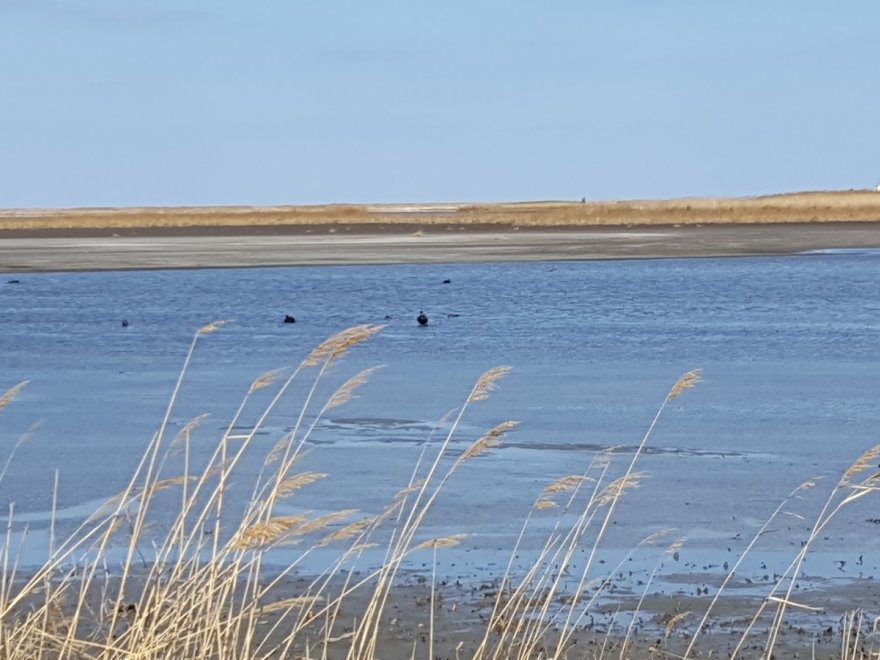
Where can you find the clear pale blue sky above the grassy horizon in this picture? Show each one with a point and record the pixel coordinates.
(159, 102)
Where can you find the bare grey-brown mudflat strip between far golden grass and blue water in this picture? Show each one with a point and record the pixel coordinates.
(261, 246)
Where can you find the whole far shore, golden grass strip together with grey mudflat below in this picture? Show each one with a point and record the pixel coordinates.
(33, 240)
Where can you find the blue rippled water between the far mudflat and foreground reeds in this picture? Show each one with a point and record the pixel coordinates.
(788, 348)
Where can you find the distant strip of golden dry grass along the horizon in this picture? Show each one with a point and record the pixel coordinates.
(827, 206)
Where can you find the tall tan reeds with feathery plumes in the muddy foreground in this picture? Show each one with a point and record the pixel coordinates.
(202, 592)
